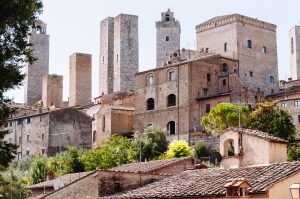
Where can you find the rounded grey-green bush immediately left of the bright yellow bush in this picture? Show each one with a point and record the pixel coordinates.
(153, 142)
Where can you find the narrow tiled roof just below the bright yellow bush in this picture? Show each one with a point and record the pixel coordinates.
(147, 167)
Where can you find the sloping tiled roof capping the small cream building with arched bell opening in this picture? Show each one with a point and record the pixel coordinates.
(257, 133)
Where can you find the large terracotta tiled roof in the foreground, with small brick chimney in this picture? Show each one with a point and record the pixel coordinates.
(210, 182)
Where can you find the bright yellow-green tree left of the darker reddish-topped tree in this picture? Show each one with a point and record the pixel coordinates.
(225, 115)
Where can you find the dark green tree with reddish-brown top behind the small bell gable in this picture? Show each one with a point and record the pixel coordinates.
(269, 118)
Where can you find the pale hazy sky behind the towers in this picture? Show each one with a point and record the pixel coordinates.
(74, 26)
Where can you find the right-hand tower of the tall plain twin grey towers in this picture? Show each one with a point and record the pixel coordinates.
(126, 59)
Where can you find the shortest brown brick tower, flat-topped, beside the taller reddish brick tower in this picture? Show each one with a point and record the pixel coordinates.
(52, 90)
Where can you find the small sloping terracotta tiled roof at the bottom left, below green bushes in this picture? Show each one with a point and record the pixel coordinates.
(66, 179)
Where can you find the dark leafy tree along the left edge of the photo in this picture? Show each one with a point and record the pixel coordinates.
(16, 19)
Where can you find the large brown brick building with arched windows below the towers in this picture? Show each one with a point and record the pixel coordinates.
(192, 87)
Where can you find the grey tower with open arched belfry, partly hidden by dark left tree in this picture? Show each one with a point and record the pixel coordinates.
(36, 71)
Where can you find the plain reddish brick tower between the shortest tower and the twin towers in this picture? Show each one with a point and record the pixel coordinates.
(80, 83)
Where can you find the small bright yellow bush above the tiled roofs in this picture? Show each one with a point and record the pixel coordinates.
(178, 149)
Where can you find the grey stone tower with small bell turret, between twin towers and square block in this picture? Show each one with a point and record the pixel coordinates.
(167, 37)
